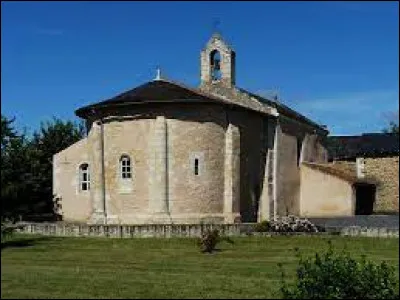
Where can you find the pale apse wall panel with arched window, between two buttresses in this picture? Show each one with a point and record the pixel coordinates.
(127, 197)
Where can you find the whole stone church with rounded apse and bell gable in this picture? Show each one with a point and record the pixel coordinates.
(164, 152)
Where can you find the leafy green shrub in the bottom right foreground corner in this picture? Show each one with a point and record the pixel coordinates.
(338, 276)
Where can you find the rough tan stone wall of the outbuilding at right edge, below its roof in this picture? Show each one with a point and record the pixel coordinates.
(386, 171)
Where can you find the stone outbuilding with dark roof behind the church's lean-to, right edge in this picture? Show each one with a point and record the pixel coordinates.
(374, 156)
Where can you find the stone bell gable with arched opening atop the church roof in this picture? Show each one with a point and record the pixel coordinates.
(217, 62)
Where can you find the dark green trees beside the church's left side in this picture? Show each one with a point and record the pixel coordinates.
(26, 166)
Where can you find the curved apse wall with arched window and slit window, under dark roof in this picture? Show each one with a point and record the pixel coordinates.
(188, 134)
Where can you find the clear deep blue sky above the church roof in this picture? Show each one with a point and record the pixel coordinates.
(335, 62)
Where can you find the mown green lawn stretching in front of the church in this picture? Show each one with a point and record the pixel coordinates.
(56, 267)
